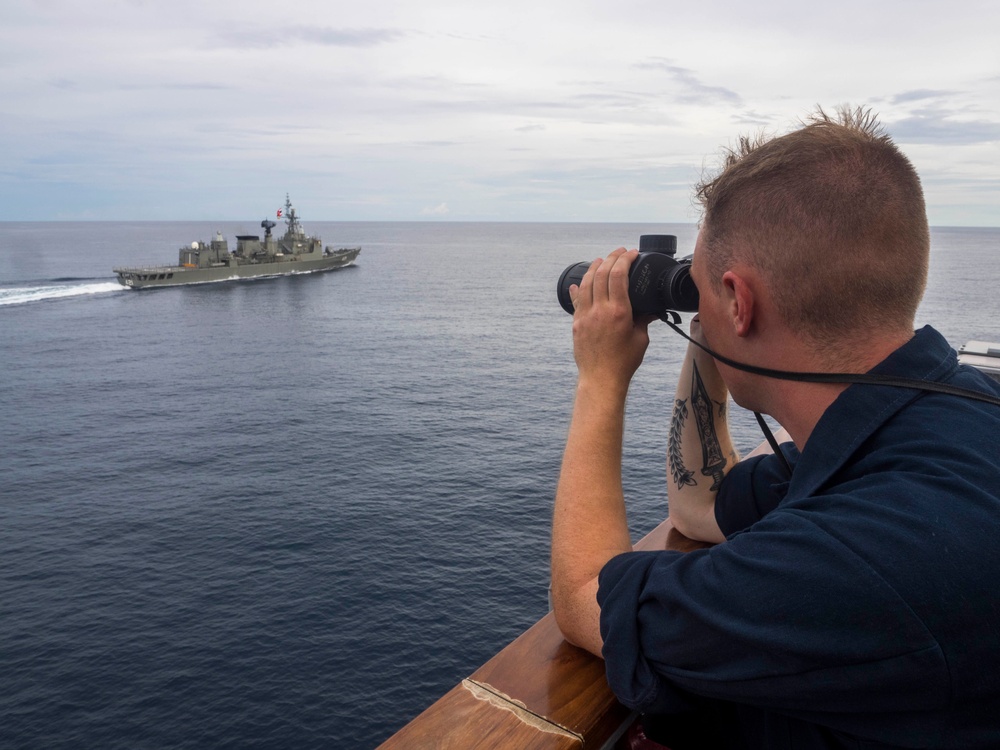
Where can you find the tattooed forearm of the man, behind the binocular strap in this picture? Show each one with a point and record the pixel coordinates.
(700, 451)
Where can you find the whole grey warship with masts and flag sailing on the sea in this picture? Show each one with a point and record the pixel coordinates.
(202, 263)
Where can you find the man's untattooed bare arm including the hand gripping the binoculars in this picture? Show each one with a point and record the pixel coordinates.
(589, 526)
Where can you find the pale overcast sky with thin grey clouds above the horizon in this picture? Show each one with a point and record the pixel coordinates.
(545, 110)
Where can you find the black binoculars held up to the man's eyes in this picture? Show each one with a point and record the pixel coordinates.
(657, 283)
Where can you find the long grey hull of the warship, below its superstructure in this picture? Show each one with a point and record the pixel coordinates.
(162, 276)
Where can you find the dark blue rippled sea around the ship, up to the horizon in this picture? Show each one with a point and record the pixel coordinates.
(293, 512)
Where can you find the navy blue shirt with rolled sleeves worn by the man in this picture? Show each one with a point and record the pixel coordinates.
(855, 603)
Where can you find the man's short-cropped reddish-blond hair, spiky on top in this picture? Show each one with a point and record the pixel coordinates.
(832, 215)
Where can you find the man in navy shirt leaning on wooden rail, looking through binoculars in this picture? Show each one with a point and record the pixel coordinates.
(850, 598)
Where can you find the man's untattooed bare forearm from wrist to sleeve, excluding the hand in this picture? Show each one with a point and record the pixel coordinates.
(589, 524)
